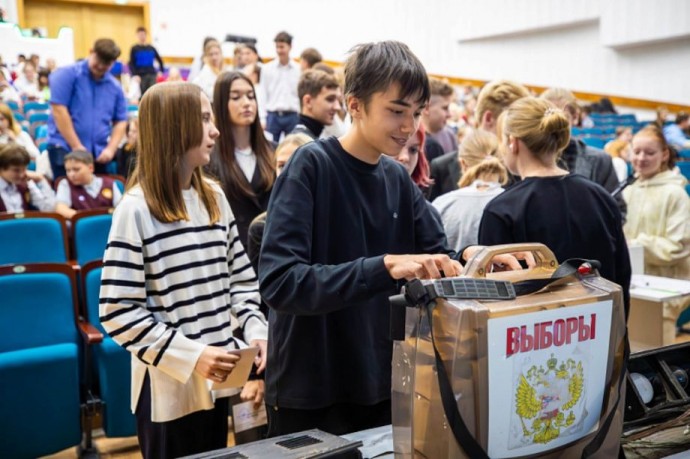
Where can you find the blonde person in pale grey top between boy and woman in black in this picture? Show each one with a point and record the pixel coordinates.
(483, 175)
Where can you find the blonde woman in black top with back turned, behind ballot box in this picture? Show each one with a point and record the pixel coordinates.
(570, 214)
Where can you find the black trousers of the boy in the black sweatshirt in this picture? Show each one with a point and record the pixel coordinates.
(337, 419)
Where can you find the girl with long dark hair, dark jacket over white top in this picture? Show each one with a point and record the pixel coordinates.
(243, 159)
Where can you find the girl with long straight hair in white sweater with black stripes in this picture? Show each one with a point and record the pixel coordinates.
(177, 287)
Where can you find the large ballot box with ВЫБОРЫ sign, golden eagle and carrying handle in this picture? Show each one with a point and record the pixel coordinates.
(537, 375)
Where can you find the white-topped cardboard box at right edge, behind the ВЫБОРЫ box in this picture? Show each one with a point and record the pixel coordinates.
(655, 304)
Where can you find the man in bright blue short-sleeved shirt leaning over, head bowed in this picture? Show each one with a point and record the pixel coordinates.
(89, 111)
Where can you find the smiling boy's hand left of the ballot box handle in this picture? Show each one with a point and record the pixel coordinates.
(421, 266)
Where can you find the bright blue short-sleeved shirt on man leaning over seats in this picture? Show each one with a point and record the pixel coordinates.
(94, 105)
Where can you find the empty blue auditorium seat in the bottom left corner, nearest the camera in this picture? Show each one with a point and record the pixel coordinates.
(40, 407)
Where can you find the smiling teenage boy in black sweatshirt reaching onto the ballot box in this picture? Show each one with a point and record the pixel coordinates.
(345, 224)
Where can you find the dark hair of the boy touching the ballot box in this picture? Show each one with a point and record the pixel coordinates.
(374, 67)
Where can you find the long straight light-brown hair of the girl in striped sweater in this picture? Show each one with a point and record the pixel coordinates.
(170, 125)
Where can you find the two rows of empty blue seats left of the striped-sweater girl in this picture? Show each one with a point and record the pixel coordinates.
(58, 367)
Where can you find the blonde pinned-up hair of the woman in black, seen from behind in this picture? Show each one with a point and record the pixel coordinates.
(543, 128)
